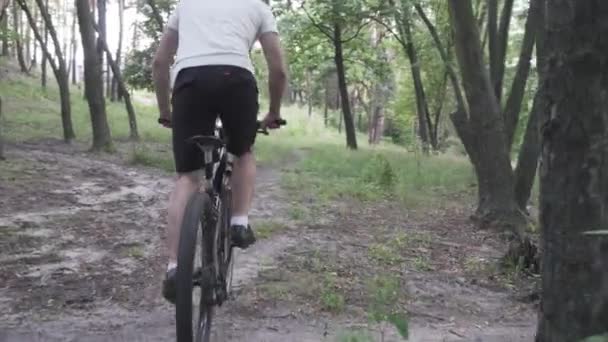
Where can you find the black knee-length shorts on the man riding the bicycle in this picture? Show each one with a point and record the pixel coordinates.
(203, 93)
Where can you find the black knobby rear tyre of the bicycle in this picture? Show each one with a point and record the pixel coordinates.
(196, 217)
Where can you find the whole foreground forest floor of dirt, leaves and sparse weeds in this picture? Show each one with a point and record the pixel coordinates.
(81, 249)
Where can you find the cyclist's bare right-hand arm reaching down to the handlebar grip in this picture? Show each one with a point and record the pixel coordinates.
(277, 72)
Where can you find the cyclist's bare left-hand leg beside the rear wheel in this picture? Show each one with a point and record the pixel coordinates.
(185, 186)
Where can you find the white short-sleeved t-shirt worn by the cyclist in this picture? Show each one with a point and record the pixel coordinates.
(221, 32)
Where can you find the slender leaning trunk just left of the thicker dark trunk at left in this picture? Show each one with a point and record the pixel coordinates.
(60, 70)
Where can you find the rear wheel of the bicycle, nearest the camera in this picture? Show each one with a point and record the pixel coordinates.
(194, 311)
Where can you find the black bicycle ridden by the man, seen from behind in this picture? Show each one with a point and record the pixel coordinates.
(205, 237)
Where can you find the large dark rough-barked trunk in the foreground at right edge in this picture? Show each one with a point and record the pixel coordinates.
(574, 173)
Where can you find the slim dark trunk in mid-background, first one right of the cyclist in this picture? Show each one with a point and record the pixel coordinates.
(349, 125)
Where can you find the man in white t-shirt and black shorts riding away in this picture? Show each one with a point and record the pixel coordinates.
(213, 75)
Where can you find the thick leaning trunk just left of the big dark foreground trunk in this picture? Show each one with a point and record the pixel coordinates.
(482, 132)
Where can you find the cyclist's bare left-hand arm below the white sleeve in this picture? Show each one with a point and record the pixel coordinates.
(161, 73)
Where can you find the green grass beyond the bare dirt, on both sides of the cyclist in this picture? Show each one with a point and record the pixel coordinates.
(326, 170)
